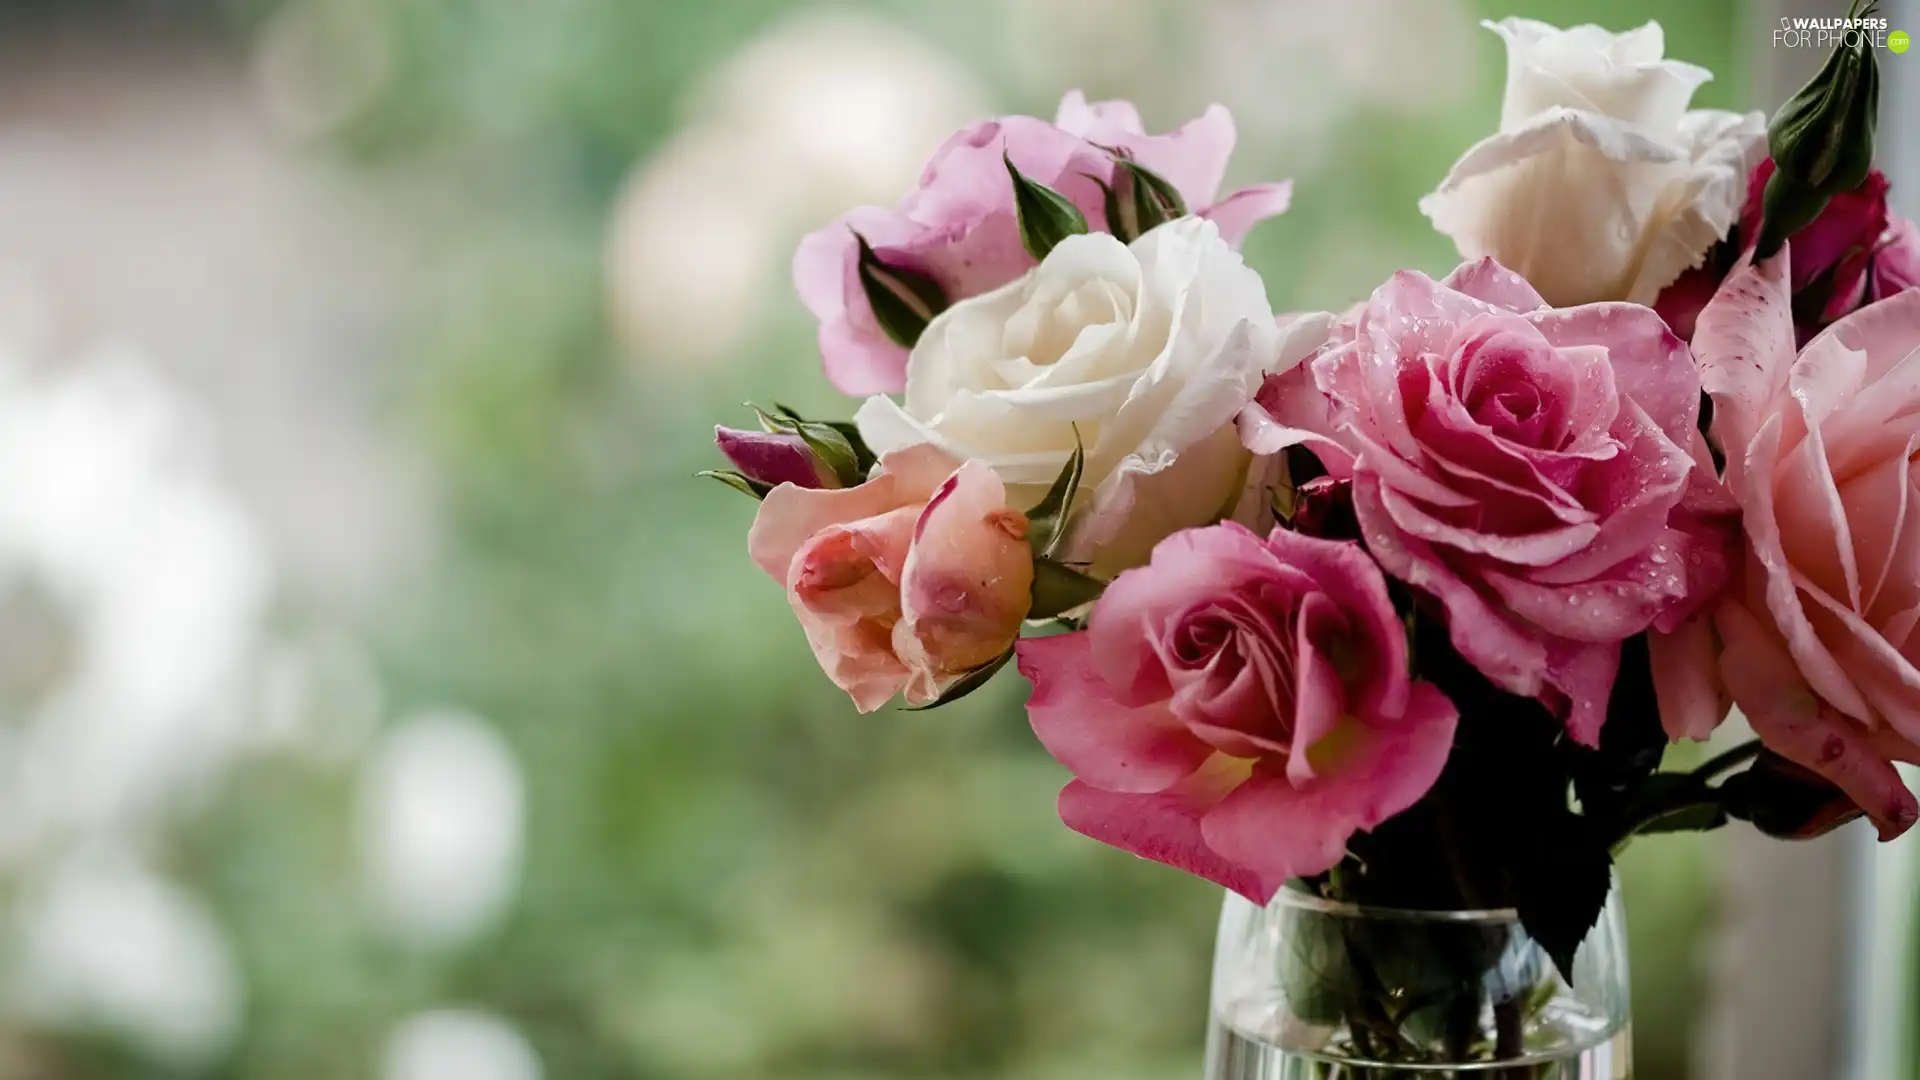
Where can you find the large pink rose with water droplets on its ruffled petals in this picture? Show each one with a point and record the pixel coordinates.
(1520, 464)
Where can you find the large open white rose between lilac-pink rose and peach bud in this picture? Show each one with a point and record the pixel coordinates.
(1149, 351)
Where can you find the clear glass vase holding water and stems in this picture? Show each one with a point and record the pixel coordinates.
(1307, 989)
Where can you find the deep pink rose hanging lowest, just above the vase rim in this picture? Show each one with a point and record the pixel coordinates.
(1239, 708)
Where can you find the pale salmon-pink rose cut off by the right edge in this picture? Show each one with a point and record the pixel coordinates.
(1819, 635)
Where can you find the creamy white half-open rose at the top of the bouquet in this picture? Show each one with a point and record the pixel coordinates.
(1602, 184)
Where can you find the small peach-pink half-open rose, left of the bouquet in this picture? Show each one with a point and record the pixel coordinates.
(903, 583)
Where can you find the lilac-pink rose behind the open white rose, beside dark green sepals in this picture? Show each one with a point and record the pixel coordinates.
(961, 228)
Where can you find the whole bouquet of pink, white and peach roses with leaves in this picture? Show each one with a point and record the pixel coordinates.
(1397, 606)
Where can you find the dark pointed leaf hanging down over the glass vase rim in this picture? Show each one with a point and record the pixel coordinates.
(1562, 885)
